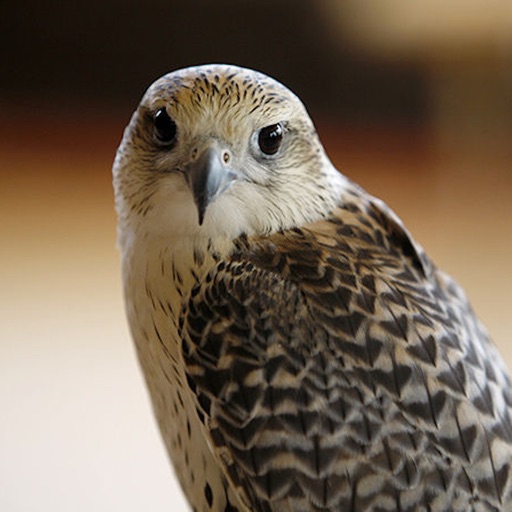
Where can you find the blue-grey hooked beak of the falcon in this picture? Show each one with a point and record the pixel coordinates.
(207, 177)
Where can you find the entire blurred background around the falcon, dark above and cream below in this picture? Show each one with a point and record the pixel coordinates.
(413, 100)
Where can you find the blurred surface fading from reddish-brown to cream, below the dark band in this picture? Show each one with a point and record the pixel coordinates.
(76, 430)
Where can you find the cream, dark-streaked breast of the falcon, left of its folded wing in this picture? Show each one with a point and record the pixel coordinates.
(155, 292)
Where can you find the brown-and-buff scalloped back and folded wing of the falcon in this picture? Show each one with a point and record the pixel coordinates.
(335, 368)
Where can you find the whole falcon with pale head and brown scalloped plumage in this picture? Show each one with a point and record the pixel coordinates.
(301, 350)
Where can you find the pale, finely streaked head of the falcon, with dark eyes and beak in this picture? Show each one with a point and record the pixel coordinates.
(220, 151)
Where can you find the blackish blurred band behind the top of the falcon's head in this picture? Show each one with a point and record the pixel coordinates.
(71, 53)
